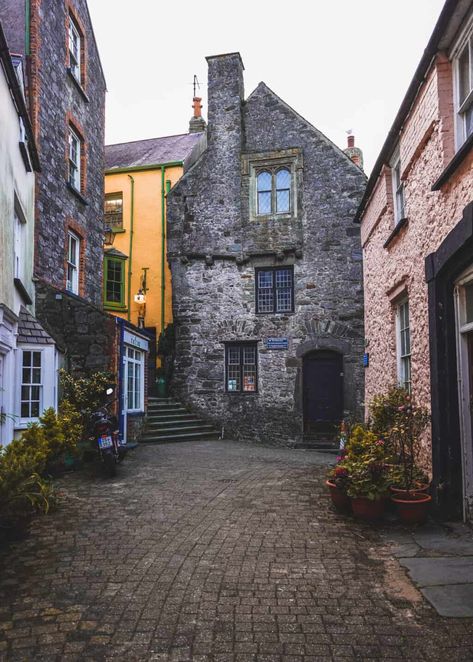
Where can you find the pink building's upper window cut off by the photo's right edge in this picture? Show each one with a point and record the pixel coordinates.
(464, 87)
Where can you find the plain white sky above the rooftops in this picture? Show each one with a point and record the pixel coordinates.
(342, 64)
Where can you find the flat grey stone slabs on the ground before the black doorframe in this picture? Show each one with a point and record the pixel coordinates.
(439, 560)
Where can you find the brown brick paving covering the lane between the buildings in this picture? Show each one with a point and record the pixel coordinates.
(216, 552)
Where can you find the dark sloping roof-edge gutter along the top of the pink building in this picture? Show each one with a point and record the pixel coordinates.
(412, 91)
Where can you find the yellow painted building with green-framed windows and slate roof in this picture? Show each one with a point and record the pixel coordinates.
(138, 176)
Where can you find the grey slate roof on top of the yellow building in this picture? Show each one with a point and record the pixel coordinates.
(151, 151)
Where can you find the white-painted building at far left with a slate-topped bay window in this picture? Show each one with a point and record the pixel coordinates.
(27, 353)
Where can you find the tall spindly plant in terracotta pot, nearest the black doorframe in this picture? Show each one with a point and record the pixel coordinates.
(405, 436)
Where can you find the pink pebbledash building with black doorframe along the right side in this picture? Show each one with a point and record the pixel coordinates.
(417, 234)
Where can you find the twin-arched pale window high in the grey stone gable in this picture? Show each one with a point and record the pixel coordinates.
(273, 190)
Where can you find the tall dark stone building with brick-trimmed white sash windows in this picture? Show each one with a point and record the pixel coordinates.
(65, 93)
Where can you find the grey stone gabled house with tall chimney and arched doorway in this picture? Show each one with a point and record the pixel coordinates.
(266, 270)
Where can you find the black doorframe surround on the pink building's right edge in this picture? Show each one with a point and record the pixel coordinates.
(442, 269)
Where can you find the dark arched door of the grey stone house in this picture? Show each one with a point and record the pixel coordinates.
(322, 390)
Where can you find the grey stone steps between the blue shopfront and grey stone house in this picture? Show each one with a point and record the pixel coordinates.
(169, 421)
